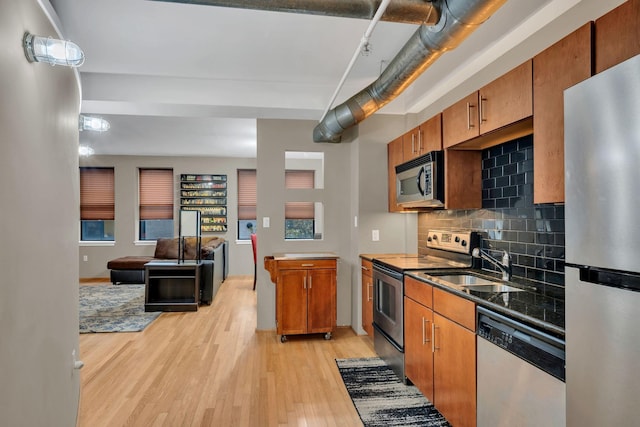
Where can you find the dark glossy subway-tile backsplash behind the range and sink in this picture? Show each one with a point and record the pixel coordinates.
(508, 220)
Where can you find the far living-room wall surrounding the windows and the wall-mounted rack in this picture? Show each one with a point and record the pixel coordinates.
(126, 205)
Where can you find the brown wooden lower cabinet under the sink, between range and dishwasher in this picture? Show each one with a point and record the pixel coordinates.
(440, 350)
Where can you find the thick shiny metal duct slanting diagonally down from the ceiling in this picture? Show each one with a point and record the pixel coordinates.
(458, 19)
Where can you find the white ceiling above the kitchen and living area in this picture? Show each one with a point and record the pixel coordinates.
(184, 79)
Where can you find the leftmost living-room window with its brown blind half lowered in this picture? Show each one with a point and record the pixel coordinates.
(97, 204)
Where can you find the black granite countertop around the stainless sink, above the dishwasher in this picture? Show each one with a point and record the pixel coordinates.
(541, 310)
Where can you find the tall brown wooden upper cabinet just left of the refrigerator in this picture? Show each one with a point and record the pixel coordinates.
(572, 55)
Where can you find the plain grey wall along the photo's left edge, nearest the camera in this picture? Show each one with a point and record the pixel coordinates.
(39, 188)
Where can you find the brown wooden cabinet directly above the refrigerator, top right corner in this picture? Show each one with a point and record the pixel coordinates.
(617, 35)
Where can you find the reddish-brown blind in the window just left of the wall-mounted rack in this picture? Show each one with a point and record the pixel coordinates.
(156, 194)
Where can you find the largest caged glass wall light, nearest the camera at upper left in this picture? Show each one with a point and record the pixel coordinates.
(52, 51)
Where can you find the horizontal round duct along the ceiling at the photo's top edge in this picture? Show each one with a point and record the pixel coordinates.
(404, 11)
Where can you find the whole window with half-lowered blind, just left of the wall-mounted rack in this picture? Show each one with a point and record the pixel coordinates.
(156, 203)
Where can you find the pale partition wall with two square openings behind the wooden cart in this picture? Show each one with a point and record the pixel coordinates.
(274, 138)
